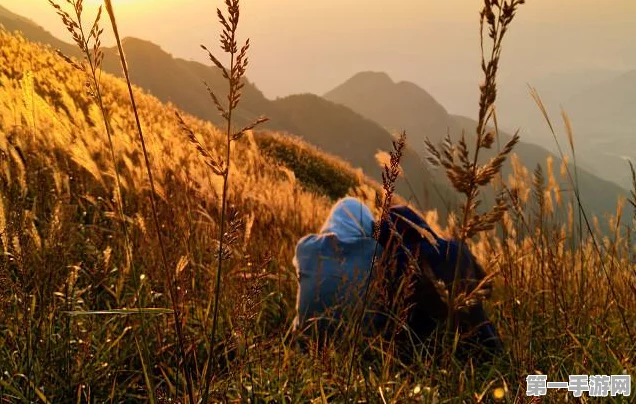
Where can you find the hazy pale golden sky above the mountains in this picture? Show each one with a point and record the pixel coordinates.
(314, 45)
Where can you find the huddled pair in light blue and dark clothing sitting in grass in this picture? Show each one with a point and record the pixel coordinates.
(414, 267)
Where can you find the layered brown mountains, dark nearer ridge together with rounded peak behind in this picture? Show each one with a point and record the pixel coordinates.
(353, 121)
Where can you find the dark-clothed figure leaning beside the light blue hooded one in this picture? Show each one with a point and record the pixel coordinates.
(416, 284)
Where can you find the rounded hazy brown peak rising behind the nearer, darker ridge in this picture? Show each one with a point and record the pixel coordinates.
(410, 106)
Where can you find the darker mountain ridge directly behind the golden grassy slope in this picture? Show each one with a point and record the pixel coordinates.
(181, 82)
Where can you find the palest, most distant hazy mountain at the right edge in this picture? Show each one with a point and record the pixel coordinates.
(599, 104)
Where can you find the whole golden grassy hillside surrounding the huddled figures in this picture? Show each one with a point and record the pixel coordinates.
(557, 299)
